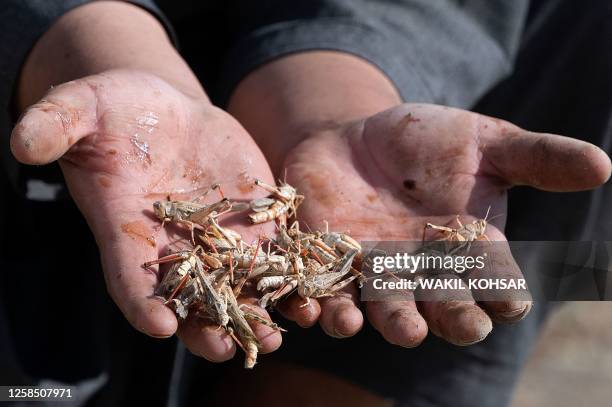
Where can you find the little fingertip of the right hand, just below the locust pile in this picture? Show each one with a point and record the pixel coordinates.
(340, 316)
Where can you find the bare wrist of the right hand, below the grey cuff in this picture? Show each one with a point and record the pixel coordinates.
(289, 99)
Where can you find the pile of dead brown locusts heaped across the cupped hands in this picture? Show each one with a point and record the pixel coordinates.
(206, 279)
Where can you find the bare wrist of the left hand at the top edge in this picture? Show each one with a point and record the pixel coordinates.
(98, 37)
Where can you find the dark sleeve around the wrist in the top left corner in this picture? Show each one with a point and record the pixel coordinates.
(23, 22)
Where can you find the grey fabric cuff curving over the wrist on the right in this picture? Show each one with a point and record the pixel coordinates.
(343, 35)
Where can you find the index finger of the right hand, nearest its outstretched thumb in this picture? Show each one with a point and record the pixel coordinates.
(502, 304)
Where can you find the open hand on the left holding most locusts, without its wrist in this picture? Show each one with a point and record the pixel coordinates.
(125, 139)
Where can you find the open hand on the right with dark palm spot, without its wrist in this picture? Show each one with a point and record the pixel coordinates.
(384, 177)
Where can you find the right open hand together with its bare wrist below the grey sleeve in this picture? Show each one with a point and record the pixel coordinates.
(384, 175)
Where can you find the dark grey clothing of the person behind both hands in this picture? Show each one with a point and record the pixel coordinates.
(543, 65)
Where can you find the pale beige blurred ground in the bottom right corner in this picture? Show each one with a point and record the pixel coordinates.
(572, 363)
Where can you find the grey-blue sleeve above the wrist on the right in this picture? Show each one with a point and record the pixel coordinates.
(445, 51)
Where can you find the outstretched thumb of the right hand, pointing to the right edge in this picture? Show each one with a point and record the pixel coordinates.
(545, 161)
